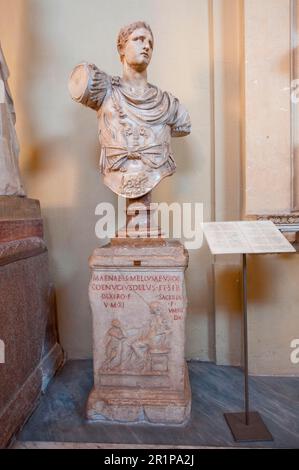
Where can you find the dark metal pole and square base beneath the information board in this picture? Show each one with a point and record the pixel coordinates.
(248, 425)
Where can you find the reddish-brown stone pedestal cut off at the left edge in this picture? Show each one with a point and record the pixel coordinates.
(28, 330)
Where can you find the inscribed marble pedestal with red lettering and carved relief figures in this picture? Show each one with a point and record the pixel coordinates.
(138, 301)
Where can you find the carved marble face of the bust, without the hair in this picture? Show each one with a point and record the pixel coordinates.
(138, 49)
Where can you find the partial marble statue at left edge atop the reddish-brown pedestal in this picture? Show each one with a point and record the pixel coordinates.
(10, 180)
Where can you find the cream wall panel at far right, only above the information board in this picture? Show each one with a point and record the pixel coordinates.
(267, 84)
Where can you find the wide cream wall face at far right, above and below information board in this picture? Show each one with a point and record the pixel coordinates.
(267, 121)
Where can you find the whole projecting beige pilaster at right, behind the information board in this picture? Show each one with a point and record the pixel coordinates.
(253, 80)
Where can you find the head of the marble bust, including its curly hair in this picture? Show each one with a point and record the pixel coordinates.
(135, 45)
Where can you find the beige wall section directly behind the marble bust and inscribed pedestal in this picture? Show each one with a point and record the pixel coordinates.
(43, 40)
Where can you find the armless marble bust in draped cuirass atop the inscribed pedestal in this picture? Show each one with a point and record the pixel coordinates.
(136, 119)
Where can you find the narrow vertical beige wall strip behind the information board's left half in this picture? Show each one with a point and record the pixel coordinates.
(227, 39)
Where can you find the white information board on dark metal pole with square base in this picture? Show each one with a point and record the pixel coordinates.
(241, 237)
